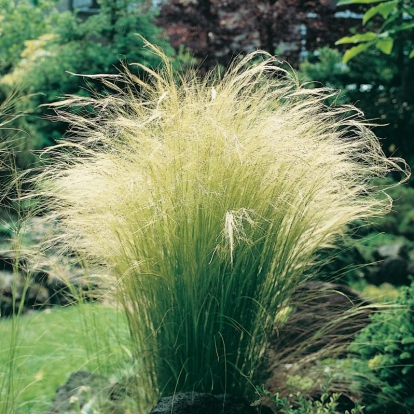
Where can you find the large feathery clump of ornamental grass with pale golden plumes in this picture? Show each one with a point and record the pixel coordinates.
(209, 200)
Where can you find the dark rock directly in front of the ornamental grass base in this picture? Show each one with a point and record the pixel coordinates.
(199, 403)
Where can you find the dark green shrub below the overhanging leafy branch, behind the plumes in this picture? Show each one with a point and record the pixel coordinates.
(383, 92)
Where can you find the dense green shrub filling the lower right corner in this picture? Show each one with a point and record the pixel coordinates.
(385, 352)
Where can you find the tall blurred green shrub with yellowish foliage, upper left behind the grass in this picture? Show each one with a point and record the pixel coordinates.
(66, 45)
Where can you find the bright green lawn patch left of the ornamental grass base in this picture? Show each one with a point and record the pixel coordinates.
(54, 343)
